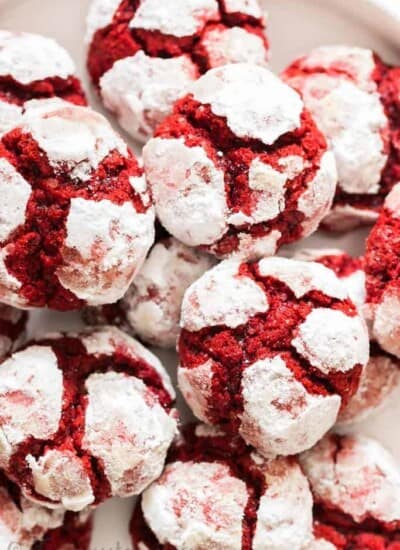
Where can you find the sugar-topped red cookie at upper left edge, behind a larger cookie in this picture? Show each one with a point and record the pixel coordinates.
(33, 67)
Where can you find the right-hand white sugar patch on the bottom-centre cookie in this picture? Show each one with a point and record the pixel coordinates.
(284, 515)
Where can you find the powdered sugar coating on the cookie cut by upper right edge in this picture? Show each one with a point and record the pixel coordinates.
(339, 86)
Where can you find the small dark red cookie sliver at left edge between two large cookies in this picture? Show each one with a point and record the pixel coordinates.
(12, 328)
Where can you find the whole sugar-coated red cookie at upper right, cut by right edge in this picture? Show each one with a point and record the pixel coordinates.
(354, 98)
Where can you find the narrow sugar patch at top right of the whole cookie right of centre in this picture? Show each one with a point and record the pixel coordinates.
(303, 277)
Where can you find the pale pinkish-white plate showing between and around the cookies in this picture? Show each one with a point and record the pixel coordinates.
(295, 27)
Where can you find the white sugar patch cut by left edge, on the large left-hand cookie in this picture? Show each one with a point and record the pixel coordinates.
(15, 192)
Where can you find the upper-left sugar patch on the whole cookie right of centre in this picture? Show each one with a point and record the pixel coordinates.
(222, 297)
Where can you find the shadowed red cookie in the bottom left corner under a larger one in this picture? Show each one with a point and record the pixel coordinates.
(25, 525)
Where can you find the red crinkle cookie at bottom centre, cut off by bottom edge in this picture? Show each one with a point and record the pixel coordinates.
(217, 493)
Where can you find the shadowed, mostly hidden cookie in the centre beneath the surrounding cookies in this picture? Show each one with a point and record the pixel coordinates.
(152, 306)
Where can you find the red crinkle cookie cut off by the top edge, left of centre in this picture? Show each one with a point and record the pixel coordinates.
(144, 54)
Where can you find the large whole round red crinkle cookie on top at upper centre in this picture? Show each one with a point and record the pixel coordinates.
(240, 167)
